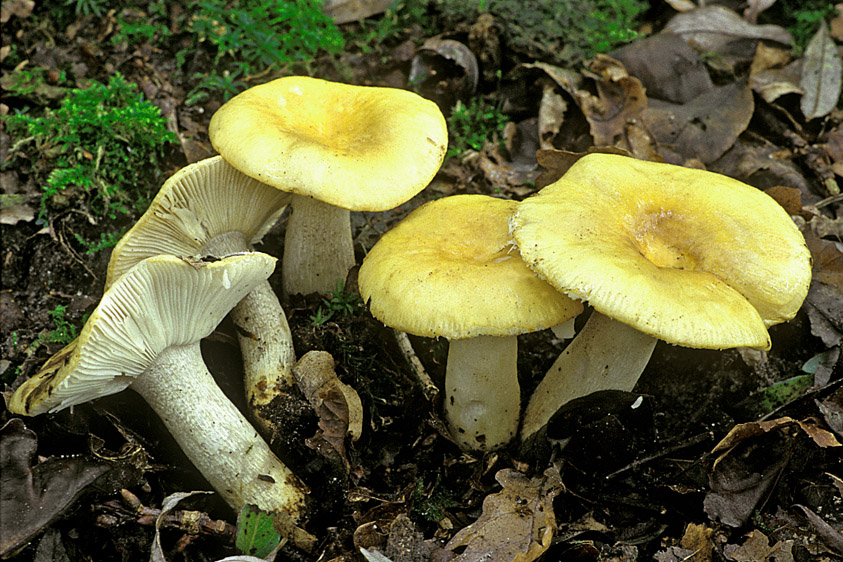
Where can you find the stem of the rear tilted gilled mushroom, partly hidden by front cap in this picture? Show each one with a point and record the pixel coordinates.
(263, 332)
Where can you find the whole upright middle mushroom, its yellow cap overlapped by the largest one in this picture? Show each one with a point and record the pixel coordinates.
(449, 269)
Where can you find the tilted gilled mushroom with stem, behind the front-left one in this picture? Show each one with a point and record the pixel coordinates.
(210, 209)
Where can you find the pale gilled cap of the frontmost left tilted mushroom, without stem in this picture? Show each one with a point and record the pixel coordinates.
(162, 301)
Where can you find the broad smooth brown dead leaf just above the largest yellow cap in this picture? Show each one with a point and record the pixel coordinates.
(704, 128)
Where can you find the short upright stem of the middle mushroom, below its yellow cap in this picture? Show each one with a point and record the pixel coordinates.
(482, 400)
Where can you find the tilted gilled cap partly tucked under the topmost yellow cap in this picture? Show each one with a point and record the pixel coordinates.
(196, 204)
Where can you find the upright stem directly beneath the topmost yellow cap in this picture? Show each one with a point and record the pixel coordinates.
(318, 249)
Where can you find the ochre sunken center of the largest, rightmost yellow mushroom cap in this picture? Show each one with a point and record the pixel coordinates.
(661, 236)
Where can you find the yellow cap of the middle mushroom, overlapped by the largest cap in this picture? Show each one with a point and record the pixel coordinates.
(450, 269)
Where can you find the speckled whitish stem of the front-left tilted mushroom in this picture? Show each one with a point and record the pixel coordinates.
(215, 436)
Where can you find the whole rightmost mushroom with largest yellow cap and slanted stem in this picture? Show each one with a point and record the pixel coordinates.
(660, 251)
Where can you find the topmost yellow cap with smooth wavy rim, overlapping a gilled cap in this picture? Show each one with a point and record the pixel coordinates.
(356, 147)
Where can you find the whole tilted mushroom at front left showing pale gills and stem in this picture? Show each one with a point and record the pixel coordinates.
(145, 334)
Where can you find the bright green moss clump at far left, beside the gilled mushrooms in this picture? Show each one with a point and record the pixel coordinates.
(99, 149)
